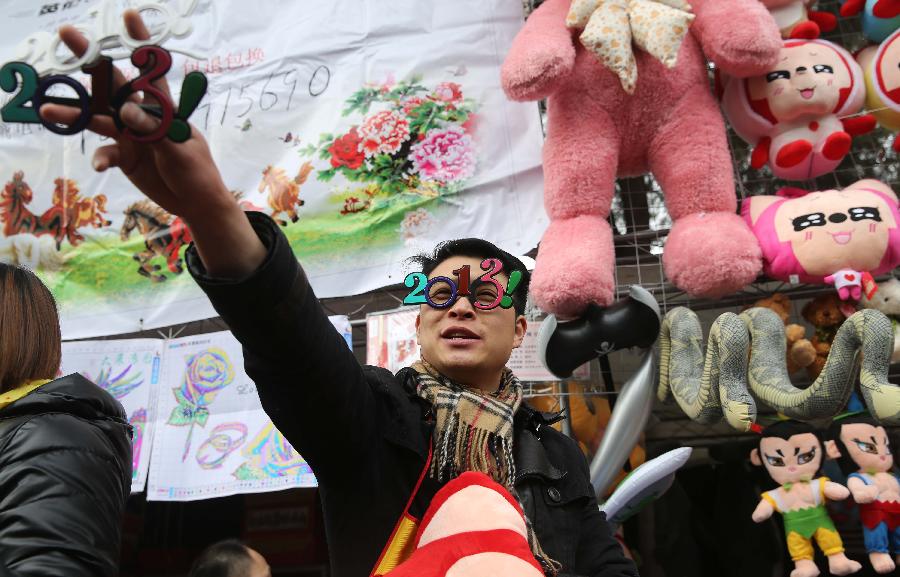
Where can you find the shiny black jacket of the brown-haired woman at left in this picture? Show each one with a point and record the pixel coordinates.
(65, 474)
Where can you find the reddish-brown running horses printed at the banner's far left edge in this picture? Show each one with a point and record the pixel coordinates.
(69, 212)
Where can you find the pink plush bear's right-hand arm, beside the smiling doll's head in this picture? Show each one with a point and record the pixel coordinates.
(739, 36)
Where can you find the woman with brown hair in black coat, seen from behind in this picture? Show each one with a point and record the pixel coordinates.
(65, 448)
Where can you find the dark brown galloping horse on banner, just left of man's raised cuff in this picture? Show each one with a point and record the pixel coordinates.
(163, 236)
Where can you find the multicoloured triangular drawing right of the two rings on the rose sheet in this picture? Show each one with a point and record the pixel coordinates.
(269, 455)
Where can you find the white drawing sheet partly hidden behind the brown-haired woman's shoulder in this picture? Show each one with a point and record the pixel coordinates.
(129, 370)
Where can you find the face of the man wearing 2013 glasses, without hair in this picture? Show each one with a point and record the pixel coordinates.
(464, 343)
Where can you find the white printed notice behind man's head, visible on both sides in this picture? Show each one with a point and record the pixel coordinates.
(391, 343)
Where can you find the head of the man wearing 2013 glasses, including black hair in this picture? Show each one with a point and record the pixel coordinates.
(463, 342)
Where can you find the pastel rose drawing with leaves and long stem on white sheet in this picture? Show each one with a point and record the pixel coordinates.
(206, 373)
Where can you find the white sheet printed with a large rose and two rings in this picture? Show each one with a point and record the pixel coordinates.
(213, 438)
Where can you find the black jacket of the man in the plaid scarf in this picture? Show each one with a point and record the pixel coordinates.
(364, 433)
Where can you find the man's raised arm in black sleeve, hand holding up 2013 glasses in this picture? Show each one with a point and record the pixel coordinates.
(310, 384)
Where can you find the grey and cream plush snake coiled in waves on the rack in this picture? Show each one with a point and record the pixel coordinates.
(745, 353)
